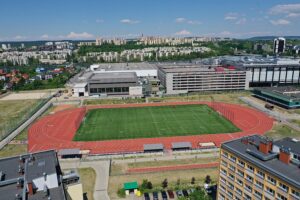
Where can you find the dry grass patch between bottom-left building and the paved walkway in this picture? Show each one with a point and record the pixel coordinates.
(88, 179)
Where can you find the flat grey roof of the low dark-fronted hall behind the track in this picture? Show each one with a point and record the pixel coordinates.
(113, 77)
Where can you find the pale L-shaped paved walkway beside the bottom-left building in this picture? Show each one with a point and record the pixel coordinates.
(102, 175)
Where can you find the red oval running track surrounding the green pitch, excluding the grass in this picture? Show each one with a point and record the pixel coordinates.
(57, 130)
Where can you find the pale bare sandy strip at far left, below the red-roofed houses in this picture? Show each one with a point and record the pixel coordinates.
(25, 96)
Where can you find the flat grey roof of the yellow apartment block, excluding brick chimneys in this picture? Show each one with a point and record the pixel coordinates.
(286, 172)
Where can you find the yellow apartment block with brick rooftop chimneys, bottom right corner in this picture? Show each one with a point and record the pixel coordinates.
(256, 167)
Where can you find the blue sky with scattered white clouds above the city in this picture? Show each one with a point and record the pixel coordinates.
(22, 20)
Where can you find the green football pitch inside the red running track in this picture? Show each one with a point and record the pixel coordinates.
(149, 122)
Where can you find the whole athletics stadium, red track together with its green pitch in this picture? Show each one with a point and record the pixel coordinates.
(134, 128)
